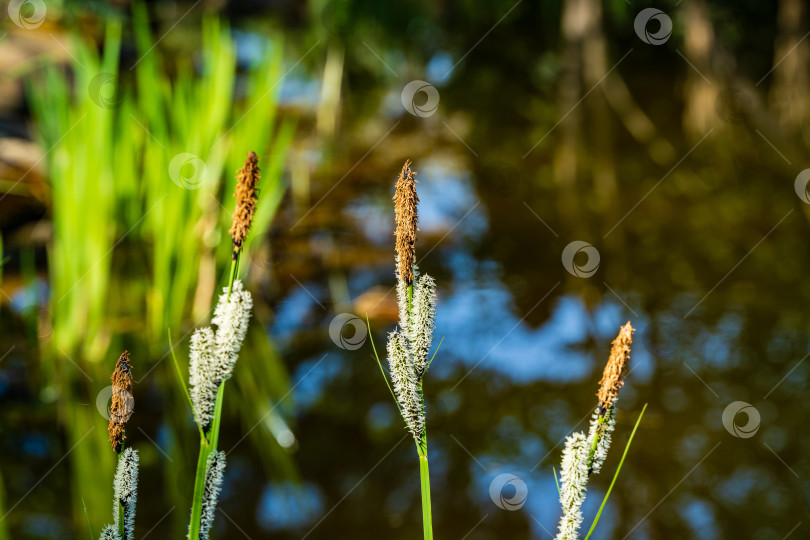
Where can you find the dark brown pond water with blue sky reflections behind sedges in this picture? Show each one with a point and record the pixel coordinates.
(703, 246)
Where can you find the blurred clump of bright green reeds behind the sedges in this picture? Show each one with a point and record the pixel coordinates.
(127, 229)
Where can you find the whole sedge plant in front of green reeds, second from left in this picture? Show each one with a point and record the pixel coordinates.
(213, 355)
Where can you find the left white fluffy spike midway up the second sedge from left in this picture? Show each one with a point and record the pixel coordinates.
(203, 383)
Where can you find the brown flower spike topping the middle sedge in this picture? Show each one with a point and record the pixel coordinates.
(406, 216)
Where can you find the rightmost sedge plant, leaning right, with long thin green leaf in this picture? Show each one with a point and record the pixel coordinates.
(585, 455)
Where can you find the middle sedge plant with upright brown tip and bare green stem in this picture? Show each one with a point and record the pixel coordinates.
(409, 345)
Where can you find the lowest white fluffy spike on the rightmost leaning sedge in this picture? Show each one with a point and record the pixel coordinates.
(573, 479)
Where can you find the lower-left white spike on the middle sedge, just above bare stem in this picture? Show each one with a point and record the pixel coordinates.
(406, 385)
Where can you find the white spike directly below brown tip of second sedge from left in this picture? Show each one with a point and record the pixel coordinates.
(231, 317)
